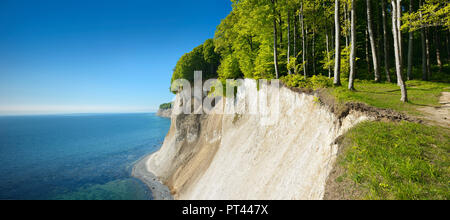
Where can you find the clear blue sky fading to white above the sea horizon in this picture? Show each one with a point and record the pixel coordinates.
(62, 56)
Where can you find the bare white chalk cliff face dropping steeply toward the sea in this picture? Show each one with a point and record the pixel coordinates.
(284, 152)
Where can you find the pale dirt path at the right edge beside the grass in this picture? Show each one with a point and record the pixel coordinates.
(439, 115)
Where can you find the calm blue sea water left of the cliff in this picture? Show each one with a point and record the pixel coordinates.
(76, 156)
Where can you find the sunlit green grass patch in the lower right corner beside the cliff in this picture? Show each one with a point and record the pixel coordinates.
(403, 161)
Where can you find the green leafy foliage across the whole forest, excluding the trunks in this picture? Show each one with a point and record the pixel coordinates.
(243, 44)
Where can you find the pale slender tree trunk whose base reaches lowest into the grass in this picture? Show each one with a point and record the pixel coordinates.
(395, 31)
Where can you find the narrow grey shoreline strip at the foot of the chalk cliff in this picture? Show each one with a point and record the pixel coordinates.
(158, 189)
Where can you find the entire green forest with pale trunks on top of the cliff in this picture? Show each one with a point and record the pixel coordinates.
(327, 40)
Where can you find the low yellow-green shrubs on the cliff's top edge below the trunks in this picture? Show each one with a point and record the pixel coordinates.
(314, 82)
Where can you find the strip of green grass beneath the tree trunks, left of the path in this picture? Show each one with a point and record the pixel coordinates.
(387, 95)
